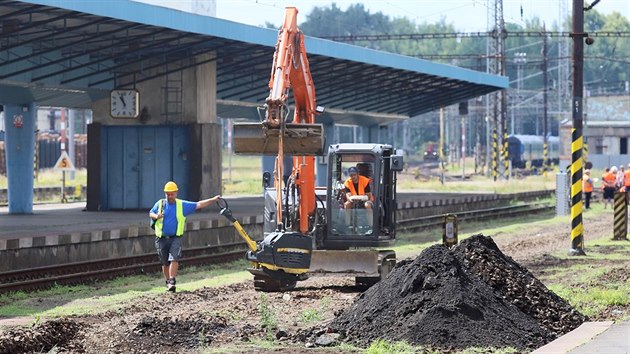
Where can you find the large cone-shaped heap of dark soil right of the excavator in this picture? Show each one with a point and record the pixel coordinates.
(470, 295)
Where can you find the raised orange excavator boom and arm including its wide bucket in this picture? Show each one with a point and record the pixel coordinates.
(301, 138)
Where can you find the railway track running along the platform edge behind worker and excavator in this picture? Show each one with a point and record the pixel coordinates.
(87, 272)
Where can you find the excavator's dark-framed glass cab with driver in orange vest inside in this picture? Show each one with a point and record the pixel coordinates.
(361, 215)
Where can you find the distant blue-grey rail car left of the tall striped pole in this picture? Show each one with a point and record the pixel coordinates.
(524, 149)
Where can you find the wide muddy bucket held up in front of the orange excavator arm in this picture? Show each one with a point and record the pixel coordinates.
(299, 139)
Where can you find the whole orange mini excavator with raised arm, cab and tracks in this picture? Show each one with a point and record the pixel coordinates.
(307, 229)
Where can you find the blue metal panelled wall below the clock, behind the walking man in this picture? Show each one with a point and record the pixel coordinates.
(138, 160)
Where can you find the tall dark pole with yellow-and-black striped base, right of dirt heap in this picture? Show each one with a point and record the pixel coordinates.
(577, 227)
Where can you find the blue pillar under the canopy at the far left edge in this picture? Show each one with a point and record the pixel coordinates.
(19, 122)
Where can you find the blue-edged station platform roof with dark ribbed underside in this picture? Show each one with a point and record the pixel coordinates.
(69, 53)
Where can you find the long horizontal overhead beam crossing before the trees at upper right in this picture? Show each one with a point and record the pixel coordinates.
(455, 35)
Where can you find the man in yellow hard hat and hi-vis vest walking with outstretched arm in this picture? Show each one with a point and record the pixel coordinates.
(168, 217)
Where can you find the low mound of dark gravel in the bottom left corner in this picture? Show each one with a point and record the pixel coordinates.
(41, 338)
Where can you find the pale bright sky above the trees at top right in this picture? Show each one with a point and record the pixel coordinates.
(466, 15)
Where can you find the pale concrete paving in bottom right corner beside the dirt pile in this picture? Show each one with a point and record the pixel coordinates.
(604, 337)
